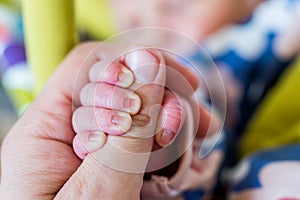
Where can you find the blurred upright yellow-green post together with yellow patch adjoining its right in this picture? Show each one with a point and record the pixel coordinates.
(50, 30)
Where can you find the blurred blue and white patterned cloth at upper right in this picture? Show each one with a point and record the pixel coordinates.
(254, 64)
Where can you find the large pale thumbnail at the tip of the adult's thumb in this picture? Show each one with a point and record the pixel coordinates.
(143, 64)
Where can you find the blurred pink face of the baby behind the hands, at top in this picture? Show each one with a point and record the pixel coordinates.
(196, 19)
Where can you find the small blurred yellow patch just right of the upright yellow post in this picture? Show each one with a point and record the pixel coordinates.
(95, 18)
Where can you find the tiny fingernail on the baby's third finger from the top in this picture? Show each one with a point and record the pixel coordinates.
(122, 121)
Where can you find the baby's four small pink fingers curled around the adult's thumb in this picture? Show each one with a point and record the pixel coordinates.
(107, 103)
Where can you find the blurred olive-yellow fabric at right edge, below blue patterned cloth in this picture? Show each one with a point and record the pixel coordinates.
(277, 121)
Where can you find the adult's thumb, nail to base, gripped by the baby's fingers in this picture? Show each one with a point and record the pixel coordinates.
(116, 170)
